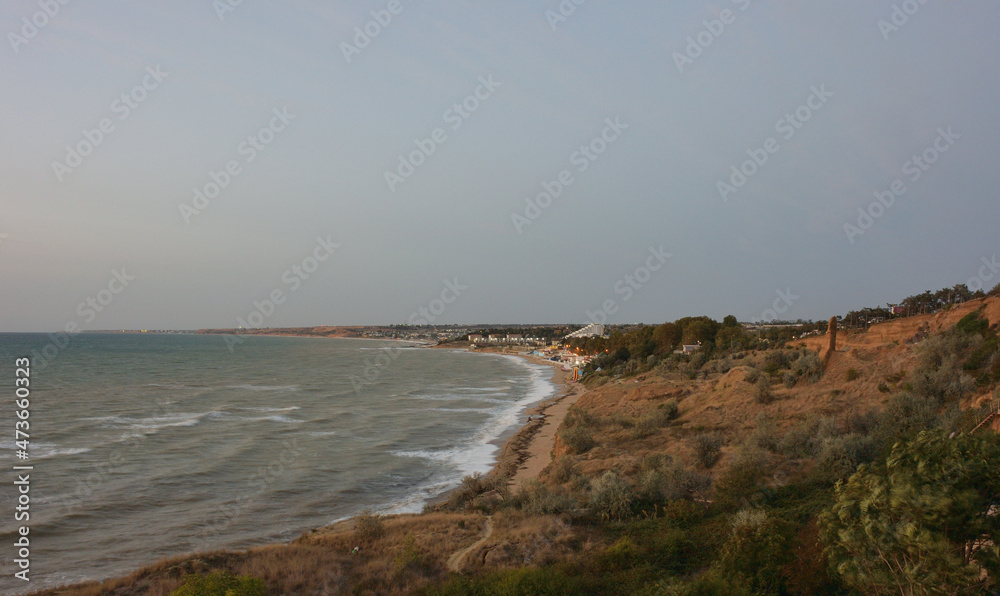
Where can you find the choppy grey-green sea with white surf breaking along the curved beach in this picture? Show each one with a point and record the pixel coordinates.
(145, 446)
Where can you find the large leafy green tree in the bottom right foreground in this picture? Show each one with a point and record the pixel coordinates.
(922, 522)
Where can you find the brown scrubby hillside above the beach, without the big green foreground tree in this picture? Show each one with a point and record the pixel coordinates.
(697, 476)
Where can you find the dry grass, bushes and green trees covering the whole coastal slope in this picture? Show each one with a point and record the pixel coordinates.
(745, 469)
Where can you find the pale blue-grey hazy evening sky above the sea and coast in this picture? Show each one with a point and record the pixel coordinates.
(200, 163)
